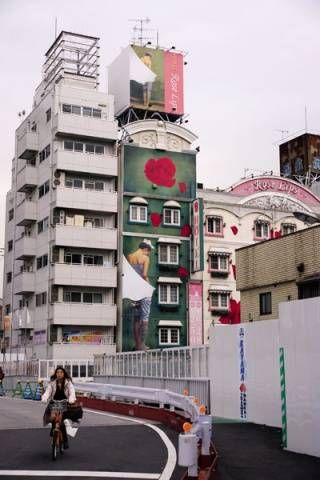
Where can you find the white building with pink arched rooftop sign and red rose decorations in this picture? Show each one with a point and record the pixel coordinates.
(252, 210)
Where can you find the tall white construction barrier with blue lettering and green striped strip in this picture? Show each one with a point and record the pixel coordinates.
(244, 372)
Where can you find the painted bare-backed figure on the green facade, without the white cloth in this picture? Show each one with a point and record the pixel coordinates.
(140, 262)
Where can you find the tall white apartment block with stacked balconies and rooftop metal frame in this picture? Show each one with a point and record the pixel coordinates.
(60, 274)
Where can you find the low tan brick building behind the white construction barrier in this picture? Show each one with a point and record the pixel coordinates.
(280, 270)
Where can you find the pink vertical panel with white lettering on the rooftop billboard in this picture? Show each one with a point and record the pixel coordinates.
(173, 82)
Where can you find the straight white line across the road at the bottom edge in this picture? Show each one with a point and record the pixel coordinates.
(75, 473)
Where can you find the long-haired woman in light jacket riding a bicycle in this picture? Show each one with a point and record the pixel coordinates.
(60, 387)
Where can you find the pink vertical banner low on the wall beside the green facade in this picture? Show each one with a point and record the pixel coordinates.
(195, 313)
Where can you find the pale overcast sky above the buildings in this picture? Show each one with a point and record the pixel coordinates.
(252, 67)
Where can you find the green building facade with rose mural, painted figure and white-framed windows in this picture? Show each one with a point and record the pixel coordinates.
(158, 188)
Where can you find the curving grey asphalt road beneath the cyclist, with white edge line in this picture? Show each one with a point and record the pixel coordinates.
(106, 445)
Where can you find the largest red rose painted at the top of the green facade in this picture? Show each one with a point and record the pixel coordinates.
(161, 171)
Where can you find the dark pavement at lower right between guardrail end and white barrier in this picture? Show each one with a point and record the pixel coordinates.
(253, 452)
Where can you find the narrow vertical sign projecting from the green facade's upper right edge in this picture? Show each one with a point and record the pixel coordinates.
(197, 235)
